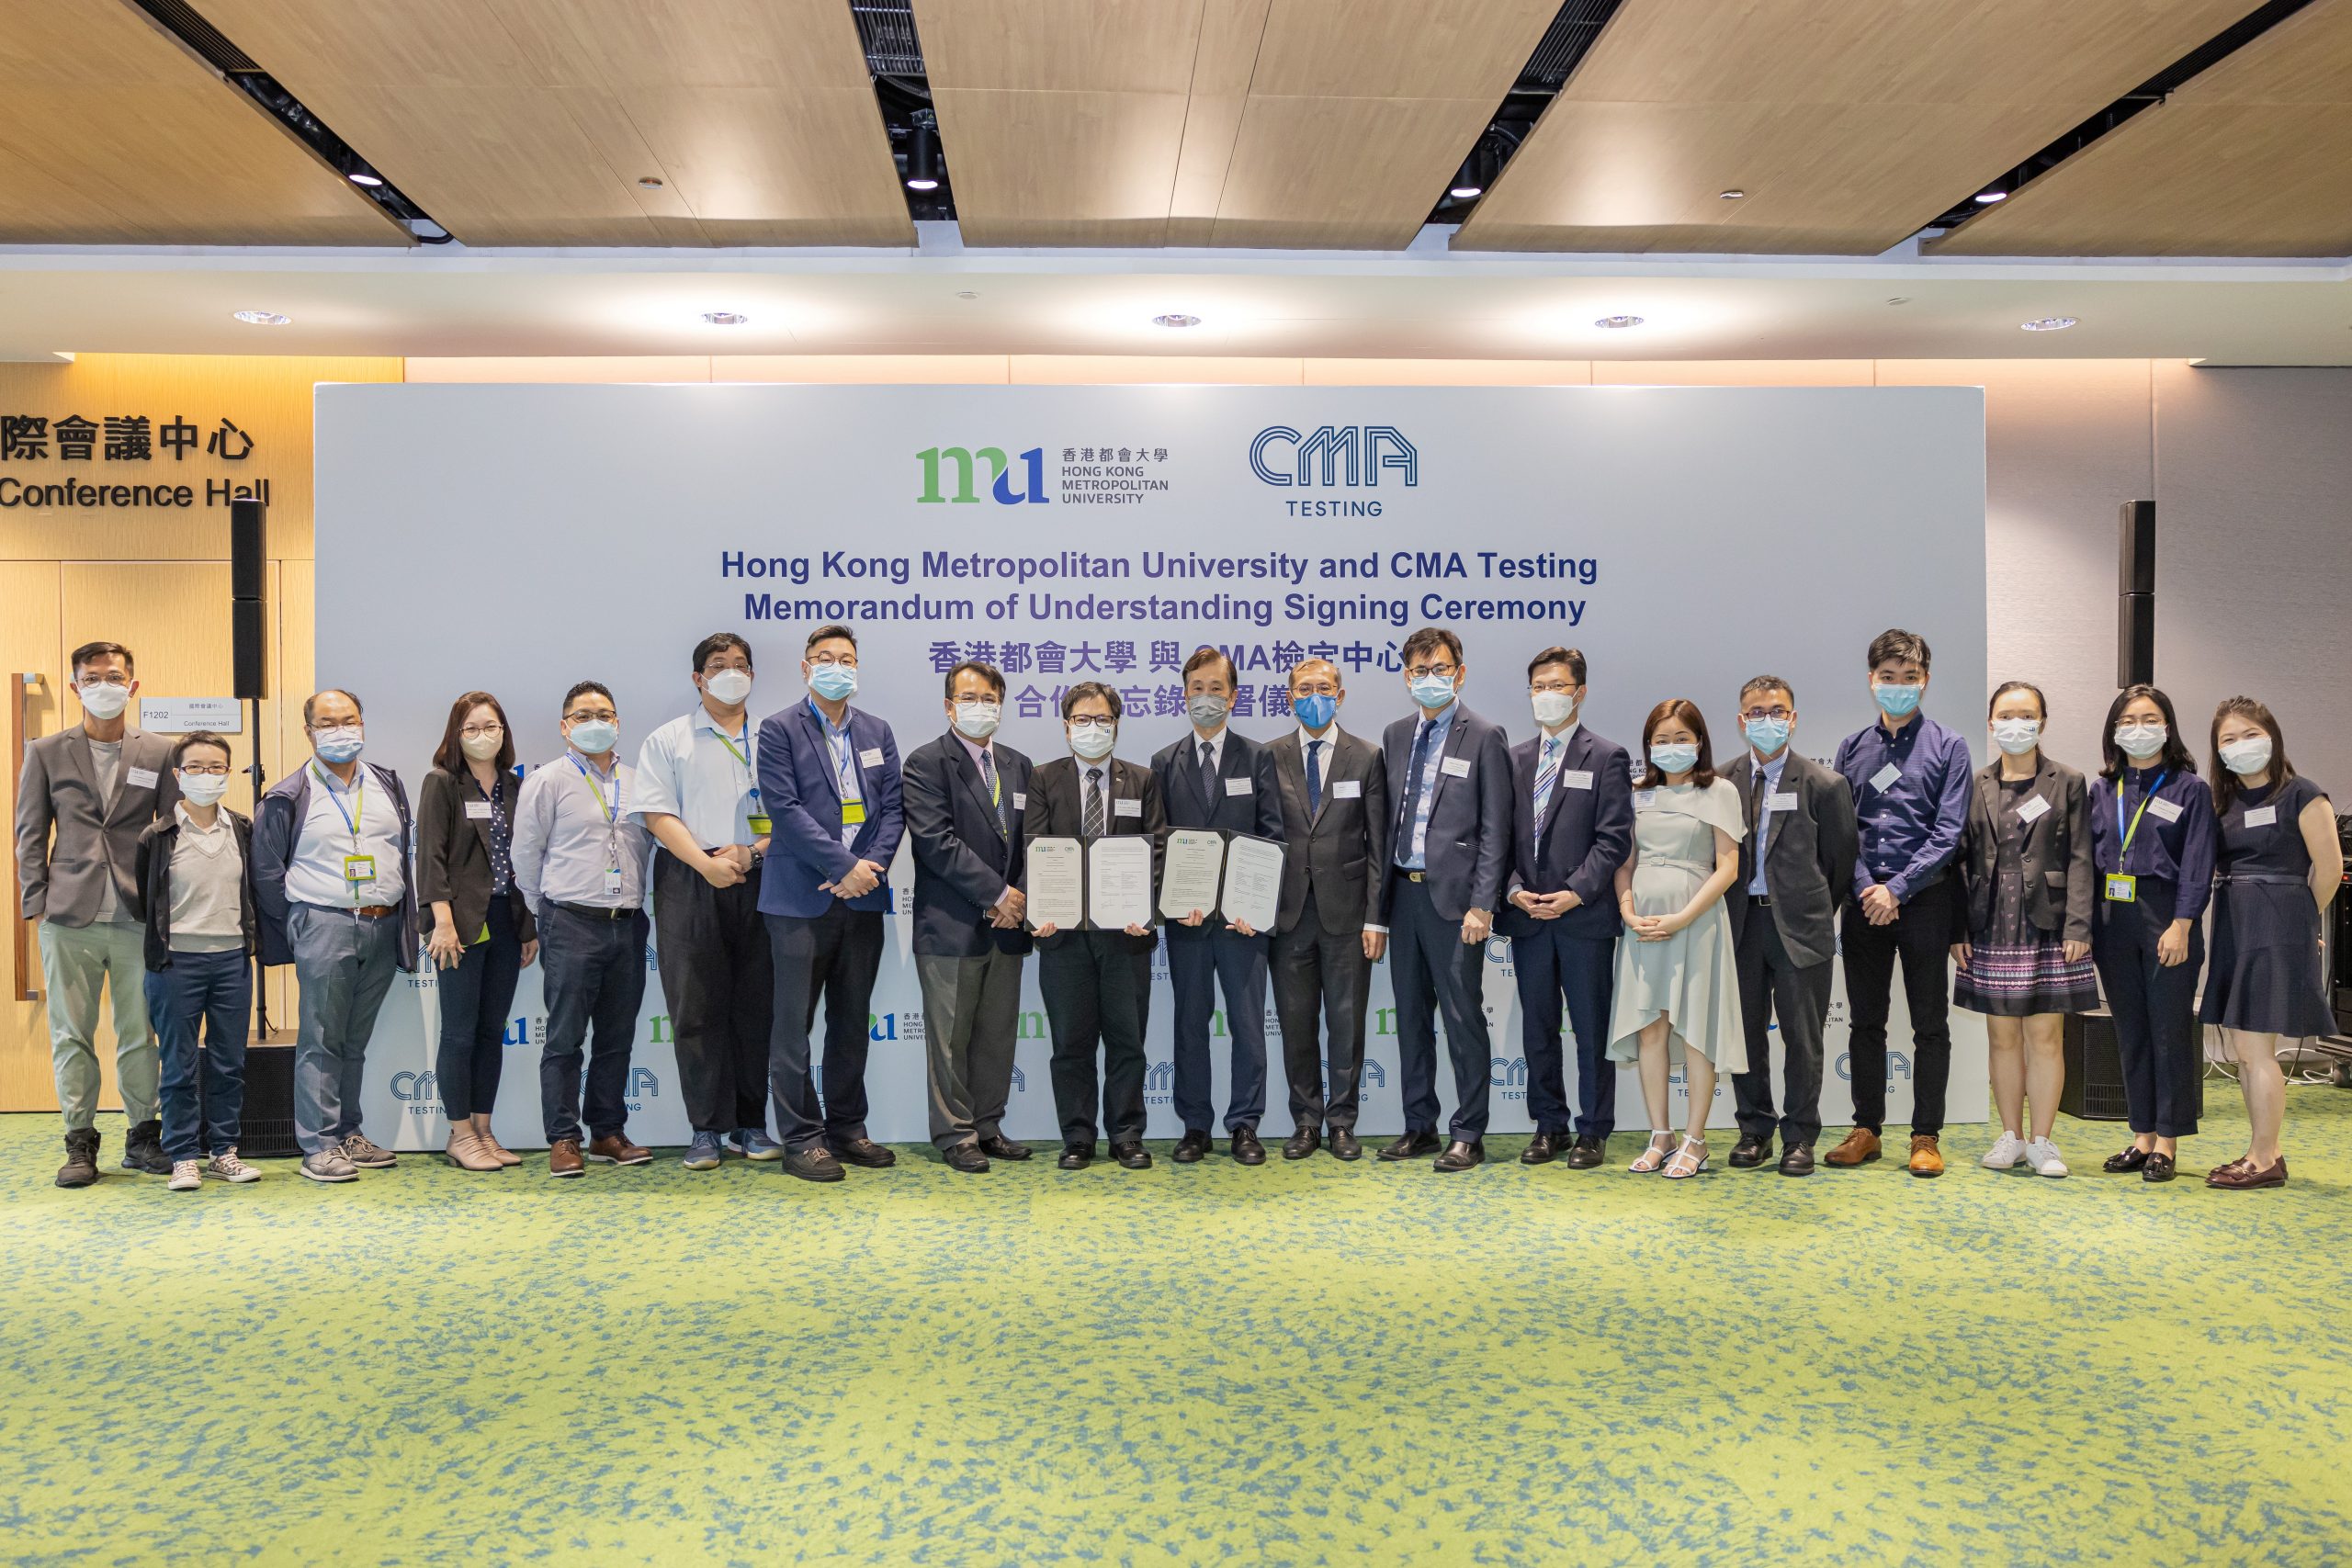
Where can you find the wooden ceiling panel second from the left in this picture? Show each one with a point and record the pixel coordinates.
(533, 121)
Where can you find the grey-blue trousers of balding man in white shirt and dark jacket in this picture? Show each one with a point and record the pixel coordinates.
(345, 965)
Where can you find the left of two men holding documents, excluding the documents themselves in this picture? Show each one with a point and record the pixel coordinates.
(1093, 981)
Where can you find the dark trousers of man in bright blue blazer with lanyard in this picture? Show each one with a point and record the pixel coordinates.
(831, 958)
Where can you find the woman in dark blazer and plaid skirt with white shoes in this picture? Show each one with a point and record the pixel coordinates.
(2026, 956)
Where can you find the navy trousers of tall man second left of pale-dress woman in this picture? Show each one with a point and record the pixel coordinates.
(1438, 977)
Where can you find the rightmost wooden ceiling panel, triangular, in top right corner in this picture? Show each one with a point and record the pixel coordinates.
(2250, 159)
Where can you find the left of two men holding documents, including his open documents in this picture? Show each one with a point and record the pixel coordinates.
(1093, 847)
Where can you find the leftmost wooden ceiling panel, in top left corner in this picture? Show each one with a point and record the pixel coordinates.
(114, 135)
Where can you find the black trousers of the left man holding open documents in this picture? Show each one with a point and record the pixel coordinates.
(1093, 1003)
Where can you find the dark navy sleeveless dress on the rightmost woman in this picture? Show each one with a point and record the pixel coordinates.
(2264, 972)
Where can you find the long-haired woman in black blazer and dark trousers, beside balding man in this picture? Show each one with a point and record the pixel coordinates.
(483, 932)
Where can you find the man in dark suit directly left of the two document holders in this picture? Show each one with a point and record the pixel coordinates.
(965, 796)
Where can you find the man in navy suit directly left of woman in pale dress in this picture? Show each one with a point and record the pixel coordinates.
(1572, 829)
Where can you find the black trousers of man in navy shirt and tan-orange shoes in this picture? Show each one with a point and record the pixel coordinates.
(1923, 942)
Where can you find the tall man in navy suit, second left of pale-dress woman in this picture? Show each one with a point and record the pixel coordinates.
(1450, 775)
